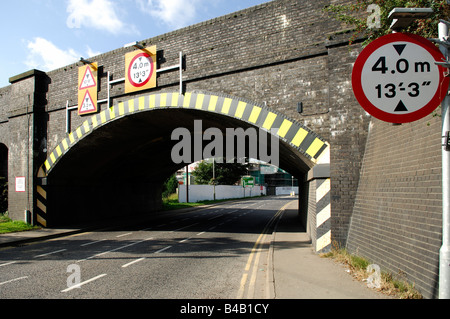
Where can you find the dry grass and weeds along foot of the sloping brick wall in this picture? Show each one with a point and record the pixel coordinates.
(390, 284)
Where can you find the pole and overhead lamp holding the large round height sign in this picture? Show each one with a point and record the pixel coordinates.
(403, 17)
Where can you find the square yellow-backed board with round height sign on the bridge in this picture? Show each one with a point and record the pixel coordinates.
(140, 69)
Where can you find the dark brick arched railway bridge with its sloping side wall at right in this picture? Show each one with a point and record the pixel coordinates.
(364, 184)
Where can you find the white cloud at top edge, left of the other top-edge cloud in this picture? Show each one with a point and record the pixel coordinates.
(97, 14)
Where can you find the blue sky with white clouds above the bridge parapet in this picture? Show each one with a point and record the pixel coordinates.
(48, 34)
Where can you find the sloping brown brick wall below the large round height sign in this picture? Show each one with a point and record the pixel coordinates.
(396, 220)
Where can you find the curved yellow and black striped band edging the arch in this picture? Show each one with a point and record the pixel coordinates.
(292, 132)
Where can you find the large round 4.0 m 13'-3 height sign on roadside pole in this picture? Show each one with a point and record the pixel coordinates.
(396, 80)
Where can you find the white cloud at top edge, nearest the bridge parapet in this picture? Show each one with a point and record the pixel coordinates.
(175, 13)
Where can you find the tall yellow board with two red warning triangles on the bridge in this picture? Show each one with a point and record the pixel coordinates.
(87, 89)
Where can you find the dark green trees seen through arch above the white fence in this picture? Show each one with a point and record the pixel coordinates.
(226, 173)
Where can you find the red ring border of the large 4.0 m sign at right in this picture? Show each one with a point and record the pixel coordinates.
(398, 118)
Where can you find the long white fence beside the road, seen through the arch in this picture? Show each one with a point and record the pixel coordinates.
(206, 192)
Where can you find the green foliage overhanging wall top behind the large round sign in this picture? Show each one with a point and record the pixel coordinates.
(356, 15)
